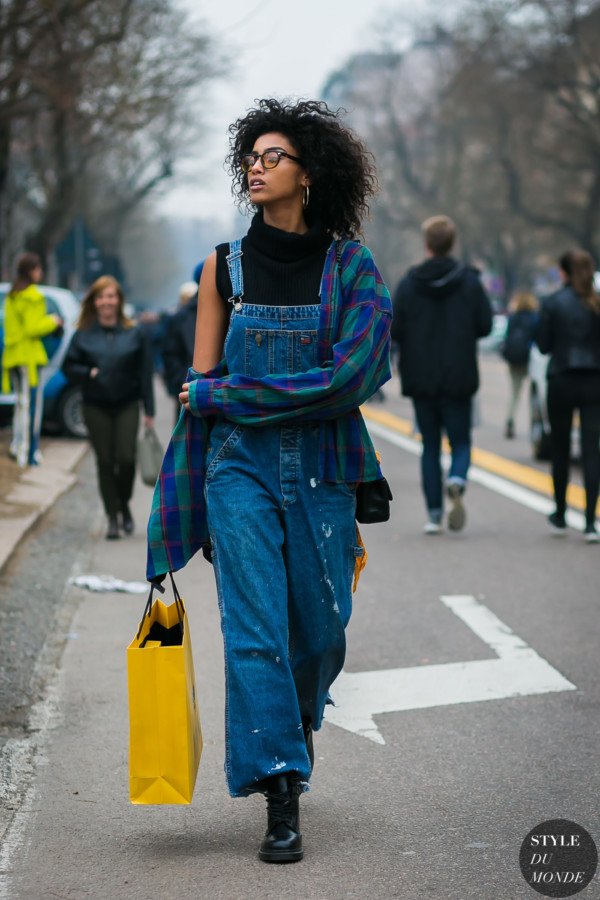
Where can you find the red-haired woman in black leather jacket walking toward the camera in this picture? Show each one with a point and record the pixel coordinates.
(112, 360)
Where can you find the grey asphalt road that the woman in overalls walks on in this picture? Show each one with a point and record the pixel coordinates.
(436, 806)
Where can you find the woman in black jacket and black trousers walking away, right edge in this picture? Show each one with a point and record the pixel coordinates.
(570, 331)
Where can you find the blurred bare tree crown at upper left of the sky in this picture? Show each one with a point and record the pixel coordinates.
(102, 98)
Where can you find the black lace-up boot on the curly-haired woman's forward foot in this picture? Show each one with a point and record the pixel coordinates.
(282, 841)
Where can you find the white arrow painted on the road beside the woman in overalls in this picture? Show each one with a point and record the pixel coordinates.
(517, 672)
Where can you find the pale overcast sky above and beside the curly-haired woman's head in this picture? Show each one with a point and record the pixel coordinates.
(281, 48)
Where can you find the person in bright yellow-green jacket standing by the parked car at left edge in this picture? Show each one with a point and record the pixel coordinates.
(26, 322)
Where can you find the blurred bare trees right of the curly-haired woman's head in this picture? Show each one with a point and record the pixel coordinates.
(493, 119)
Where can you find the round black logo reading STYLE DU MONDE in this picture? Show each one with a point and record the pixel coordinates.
(558, 858)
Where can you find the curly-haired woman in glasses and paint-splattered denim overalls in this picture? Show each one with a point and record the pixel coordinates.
(292, 336)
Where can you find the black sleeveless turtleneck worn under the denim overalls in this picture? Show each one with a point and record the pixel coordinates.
(280, 268)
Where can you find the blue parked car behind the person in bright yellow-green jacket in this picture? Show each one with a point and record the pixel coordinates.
(62, 400)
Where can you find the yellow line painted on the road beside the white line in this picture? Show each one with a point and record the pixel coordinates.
(518, 473)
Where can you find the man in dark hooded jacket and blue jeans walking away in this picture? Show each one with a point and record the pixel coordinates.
(440, 310)
